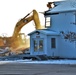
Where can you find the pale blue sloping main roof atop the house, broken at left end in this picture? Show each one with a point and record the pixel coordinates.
(64, 6)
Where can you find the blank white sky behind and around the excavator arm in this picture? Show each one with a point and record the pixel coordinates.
(11, 11)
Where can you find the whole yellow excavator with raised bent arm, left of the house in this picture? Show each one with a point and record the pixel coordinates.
(16, 41)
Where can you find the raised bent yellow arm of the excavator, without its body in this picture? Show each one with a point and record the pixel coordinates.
(26, 20)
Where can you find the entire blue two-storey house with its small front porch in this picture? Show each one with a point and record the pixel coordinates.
(59, 39)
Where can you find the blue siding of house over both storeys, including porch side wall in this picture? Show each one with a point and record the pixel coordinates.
(65, 22)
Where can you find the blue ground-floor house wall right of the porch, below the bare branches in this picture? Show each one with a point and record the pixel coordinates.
(67, 49)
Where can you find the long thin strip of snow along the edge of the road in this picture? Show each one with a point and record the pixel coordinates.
(40, 62)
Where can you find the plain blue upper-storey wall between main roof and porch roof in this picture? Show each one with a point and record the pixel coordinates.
(63, 22)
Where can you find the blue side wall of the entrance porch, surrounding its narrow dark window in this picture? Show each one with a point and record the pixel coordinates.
(52, 51)
